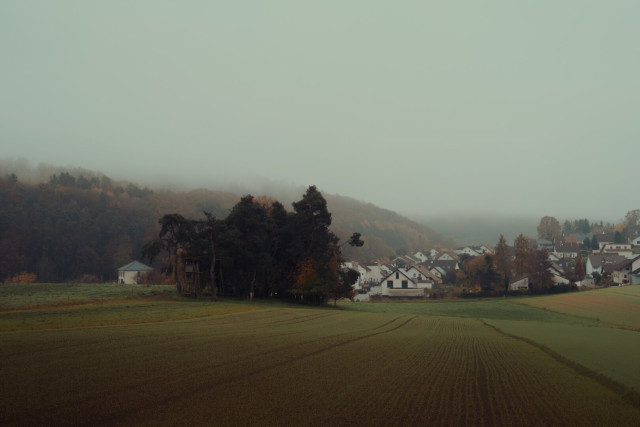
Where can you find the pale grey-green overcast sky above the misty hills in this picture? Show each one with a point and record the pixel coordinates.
(416, 106)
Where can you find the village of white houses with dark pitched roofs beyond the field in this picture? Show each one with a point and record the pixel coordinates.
(422, 274)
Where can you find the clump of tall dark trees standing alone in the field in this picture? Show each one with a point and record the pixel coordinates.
(258, 249)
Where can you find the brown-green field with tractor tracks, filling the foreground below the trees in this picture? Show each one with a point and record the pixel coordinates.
(235, 363)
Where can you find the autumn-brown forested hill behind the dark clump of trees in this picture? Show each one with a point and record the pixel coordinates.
(79, 225)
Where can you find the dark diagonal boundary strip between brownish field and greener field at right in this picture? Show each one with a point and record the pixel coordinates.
(627, 393)
